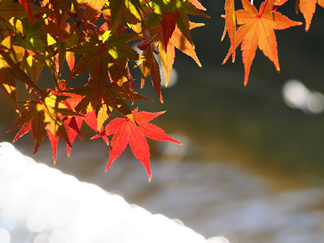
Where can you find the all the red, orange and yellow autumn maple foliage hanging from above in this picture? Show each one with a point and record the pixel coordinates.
(107, 40)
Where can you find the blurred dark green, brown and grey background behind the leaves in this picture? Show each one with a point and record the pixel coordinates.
(252, 165)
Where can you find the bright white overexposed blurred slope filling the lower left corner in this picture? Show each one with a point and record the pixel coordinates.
(39, 204)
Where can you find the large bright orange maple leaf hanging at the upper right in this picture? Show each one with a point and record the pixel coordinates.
(257, 31)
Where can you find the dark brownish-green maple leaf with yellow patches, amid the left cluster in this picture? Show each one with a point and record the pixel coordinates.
(109, 53)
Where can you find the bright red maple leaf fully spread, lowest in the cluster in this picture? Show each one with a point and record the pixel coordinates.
(133, 132)
